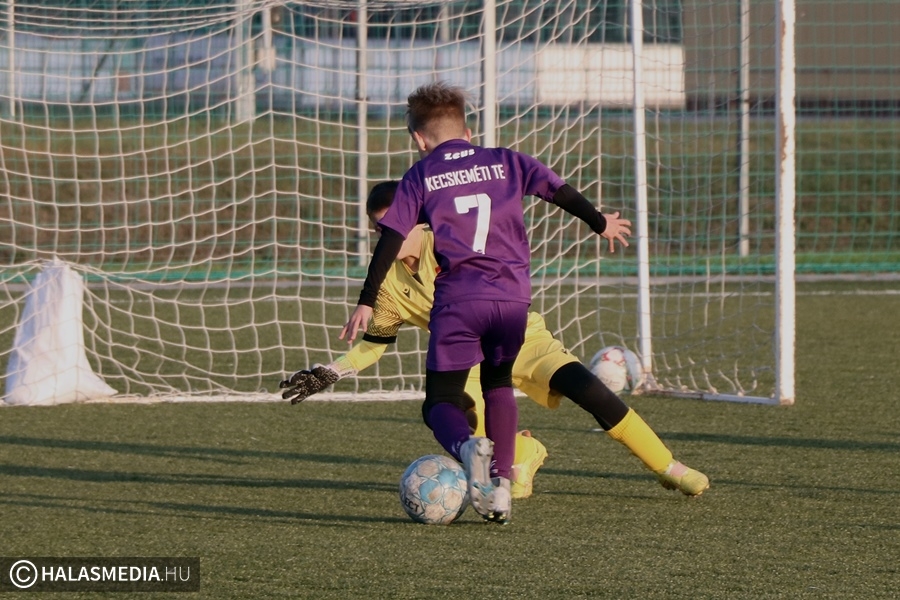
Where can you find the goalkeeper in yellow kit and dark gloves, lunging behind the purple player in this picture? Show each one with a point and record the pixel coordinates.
(544, 369)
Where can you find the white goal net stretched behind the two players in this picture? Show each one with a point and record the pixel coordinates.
(203, 167)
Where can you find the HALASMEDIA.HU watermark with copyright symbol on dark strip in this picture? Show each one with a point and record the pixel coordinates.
(100, 574)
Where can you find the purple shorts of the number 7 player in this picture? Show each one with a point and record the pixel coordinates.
(466, 333)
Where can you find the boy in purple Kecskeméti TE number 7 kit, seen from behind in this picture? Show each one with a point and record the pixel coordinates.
(472, 199)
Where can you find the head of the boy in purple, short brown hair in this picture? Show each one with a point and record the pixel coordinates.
(436, 113)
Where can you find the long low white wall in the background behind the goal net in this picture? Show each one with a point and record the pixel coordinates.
(323, 75)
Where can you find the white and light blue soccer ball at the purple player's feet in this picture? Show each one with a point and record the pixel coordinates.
(434, 490)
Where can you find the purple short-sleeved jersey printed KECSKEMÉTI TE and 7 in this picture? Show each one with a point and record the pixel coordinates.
(472, 199)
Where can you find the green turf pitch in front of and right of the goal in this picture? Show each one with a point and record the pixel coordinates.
(285, 501)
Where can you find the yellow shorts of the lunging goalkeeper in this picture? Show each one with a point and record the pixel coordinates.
(540, 357)
